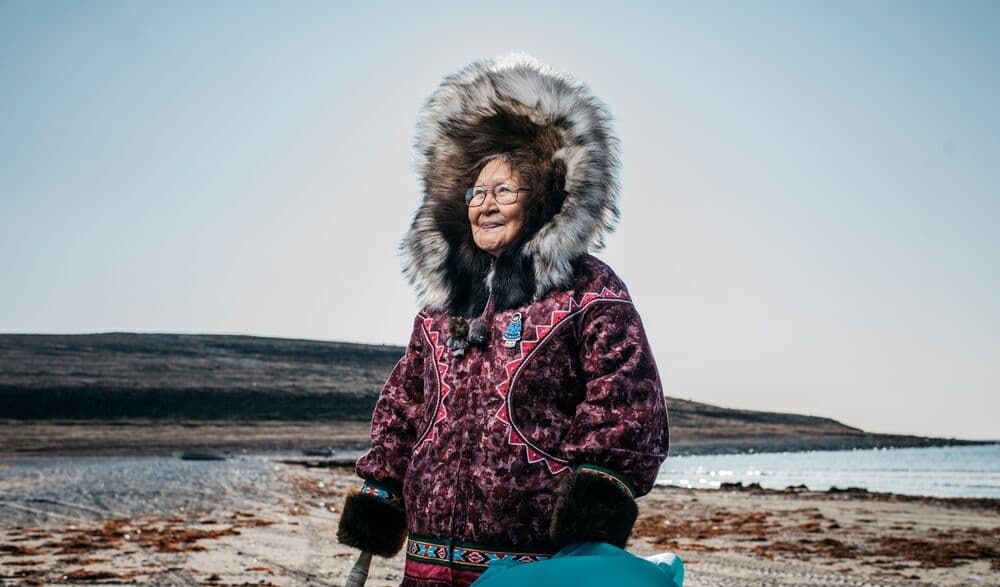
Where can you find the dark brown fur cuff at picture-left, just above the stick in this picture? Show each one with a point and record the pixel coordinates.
(372, 525)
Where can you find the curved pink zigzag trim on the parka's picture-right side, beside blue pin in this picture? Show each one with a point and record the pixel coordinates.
(515, 436)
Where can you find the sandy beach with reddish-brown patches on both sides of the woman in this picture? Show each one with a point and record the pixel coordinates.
(271, 520)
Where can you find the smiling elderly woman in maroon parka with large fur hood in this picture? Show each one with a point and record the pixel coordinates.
(527, 411)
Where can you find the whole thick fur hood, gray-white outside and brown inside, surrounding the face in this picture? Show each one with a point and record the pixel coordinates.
(494, 106)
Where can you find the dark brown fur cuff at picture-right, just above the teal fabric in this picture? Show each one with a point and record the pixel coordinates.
(592, 508)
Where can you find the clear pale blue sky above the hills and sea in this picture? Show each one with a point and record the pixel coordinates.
(809, 203)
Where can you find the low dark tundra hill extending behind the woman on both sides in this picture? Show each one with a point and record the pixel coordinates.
(185, 377)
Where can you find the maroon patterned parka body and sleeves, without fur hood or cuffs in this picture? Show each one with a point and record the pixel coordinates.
(474, 446)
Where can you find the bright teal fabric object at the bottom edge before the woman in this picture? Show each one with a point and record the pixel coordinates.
(587, 564)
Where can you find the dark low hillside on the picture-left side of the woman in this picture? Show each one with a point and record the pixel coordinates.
(181, 376)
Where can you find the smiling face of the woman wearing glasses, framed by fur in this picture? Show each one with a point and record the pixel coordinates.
(495, 226)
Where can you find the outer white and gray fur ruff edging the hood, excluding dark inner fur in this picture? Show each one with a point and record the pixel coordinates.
(518, 84)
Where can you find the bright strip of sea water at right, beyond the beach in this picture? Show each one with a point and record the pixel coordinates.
(950, 471)
